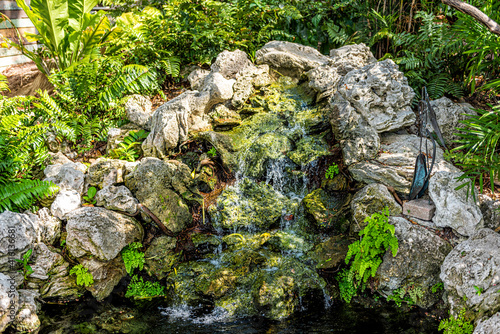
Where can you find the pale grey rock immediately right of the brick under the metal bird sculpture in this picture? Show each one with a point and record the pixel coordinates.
(453, 207)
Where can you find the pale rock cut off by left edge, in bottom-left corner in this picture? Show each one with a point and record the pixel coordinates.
(9, 301)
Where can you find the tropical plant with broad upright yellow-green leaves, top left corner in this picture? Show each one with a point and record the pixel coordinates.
(66, 29)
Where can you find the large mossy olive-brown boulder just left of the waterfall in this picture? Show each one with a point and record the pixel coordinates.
(166, 188)
